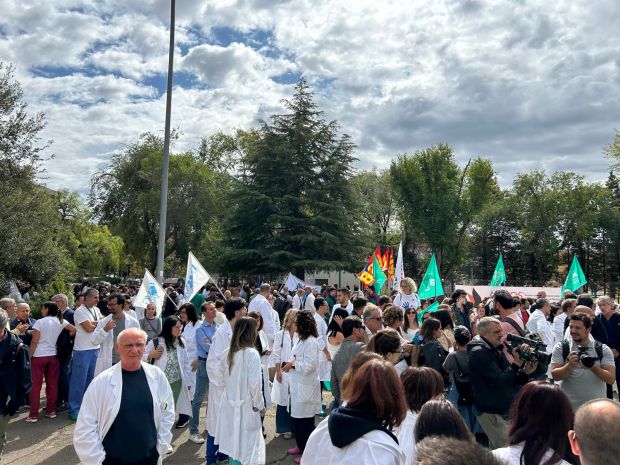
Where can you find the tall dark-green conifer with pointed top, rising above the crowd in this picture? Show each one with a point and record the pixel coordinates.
(292, 207)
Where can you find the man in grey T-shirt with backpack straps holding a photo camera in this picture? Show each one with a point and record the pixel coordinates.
(581, 365)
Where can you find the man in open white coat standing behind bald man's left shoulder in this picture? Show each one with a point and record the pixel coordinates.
(107, 331)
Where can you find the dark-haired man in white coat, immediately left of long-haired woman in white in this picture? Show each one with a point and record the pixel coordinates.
(234, 309)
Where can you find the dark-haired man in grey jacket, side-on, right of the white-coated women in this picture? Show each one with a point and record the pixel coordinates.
(353, 331)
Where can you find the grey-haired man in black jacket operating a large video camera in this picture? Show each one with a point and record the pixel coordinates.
(495, 381)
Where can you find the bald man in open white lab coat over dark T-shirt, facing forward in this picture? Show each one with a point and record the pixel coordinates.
(129, 400)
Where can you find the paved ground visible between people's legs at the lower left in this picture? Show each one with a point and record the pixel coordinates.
(49, 442)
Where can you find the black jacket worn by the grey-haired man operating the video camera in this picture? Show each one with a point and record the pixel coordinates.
(494, 380)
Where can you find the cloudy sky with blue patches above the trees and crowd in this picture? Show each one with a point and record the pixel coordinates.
(526, 84)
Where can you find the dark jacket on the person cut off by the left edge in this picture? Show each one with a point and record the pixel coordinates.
(15, 381)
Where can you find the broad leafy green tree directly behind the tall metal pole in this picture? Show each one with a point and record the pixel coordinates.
(125, 197)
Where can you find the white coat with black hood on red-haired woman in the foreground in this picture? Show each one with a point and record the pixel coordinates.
(375, 447)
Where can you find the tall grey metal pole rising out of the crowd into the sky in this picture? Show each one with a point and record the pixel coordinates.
(163, 205)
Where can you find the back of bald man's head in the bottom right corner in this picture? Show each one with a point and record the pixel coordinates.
(596, 433)
